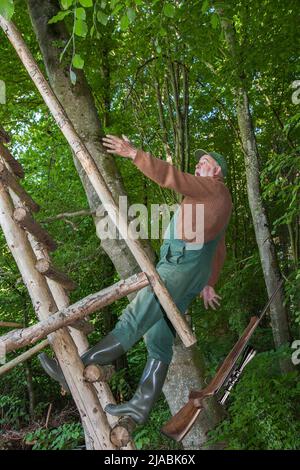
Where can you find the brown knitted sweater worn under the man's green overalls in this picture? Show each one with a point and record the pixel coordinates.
(208, 190)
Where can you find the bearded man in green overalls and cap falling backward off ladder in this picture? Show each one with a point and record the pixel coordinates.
(187, 267)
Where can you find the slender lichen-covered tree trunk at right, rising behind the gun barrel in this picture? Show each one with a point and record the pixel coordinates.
(279, 319)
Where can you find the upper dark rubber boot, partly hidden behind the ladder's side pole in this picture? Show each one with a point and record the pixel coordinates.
(103, 353)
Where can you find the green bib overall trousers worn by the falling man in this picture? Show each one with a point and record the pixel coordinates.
(185, 273)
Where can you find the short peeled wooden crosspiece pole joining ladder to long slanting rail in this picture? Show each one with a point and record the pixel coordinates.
(67, 315)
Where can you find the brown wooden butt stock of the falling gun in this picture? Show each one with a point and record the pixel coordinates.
(182, 421)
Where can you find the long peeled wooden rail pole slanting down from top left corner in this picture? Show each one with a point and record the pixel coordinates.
(97, 181)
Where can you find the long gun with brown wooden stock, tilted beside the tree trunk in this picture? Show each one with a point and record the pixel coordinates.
(226, 376)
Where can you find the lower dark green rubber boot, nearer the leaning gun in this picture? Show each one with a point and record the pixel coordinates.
(147, 393)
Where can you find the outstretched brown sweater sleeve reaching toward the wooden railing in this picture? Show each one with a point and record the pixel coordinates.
(167, 176)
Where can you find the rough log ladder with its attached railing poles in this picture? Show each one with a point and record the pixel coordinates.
(30, 245)
